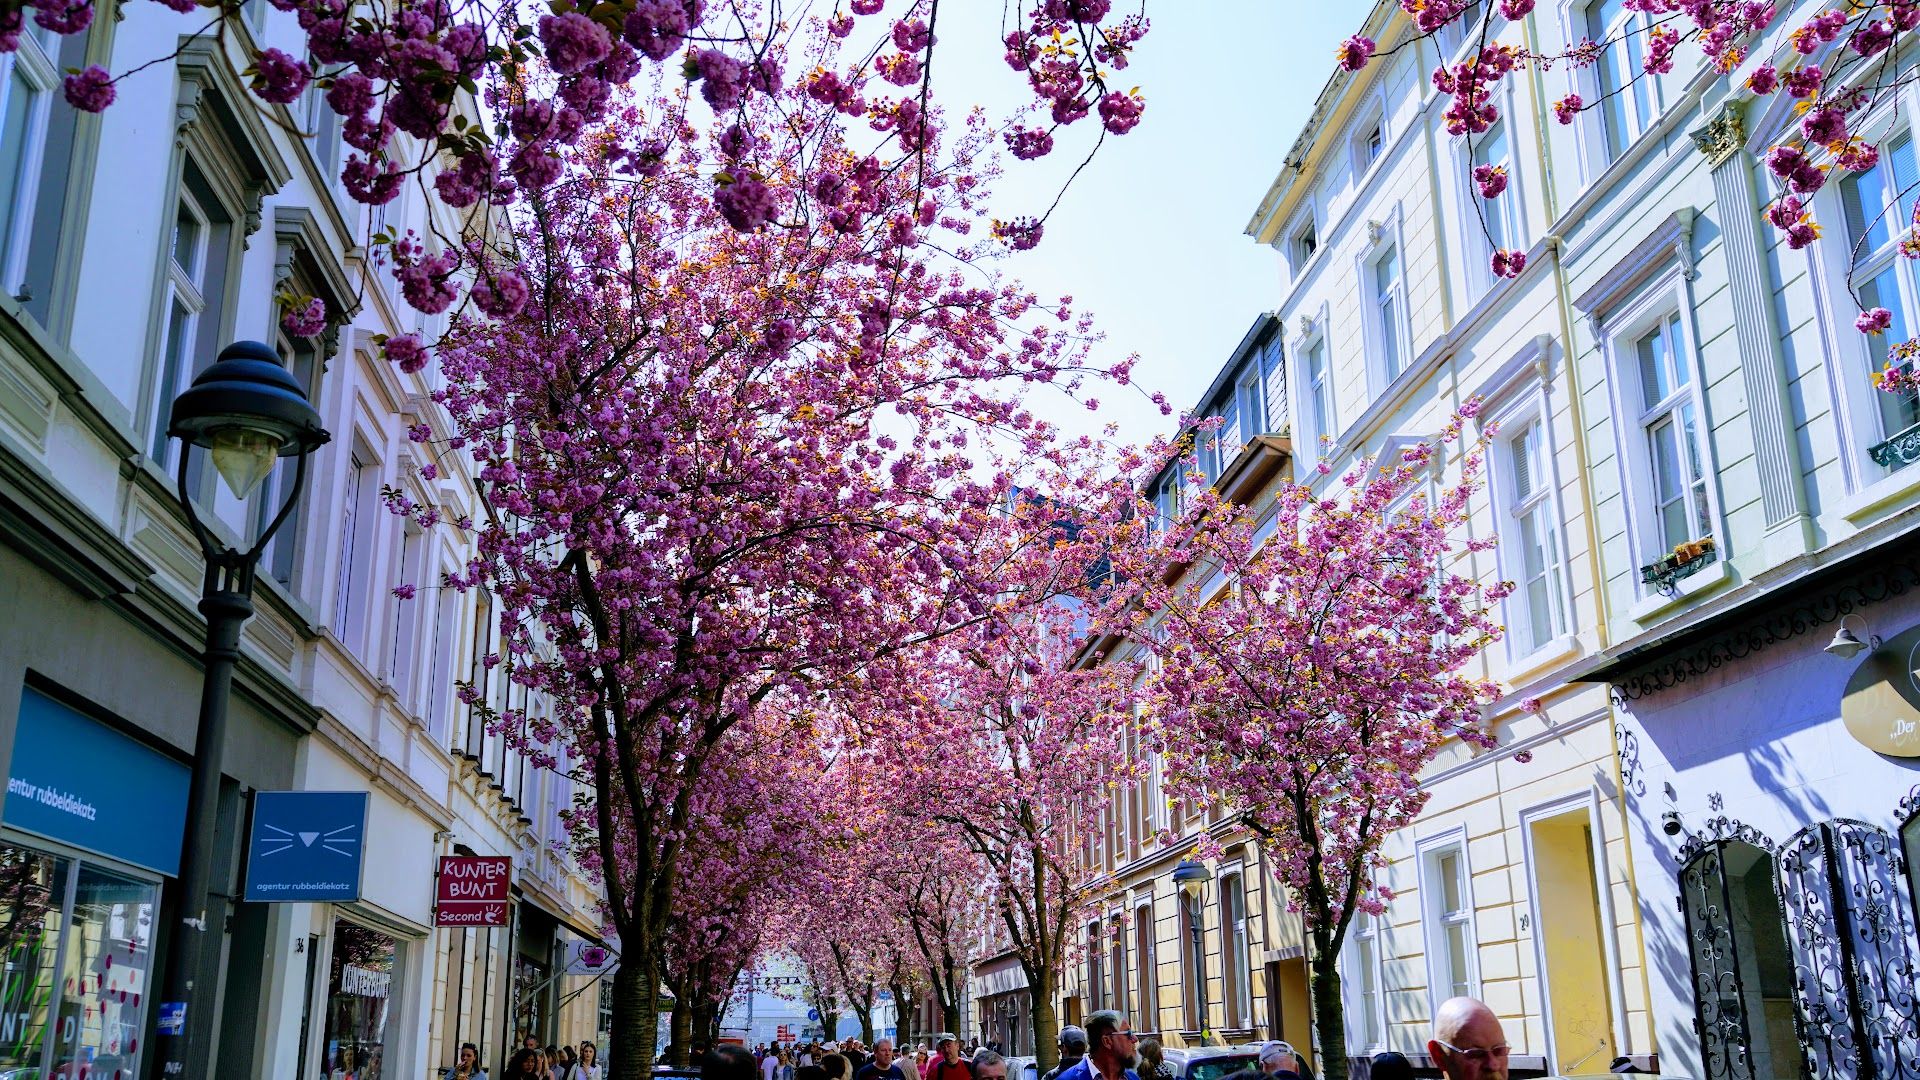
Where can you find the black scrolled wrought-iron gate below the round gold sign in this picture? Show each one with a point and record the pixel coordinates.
(1848, 908)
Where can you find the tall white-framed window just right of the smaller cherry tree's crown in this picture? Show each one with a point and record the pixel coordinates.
(1537, 612)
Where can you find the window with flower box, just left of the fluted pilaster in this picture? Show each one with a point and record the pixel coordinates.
(1673, 439)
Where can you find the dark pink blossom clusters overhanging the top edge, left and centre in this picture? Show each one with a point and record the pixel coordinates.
(418, 68)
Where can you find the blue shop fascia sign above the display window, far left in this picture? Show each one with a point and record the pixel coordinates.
(82, 783)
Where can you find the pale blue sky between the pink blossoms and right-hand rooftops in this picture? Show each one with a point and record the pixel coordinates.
(1151, 239)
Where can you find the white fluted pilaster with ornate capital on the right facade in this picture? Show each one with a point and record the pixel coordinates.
(1756, 331)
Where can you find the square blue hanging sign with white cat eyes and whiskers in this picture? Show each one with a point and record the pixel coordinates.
(306, 847)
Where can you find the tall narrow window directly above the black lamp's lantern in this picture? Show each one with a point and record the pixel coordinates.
(199, 253)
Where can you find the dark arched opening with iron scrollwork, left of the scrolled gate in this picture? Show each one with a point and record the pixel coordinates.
(1742, 970)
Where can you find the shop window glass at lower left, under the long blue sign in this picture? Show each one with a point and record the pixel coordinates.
(78, 943)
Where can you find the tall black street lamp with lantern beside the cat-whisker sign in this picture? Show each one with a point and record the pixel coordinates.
(247, 412)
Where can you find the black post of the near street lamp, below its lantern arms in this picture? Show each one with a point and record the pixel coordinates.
(226, 610)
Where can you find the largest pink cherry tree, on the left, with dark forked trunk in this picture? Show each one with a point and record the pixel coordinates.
(727, 472)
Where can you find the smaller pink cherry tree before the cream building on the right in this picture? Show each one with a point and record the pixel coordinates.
(1312, 691)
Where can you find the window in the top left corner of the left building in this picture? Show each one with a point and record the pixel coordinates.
(37, 135)
